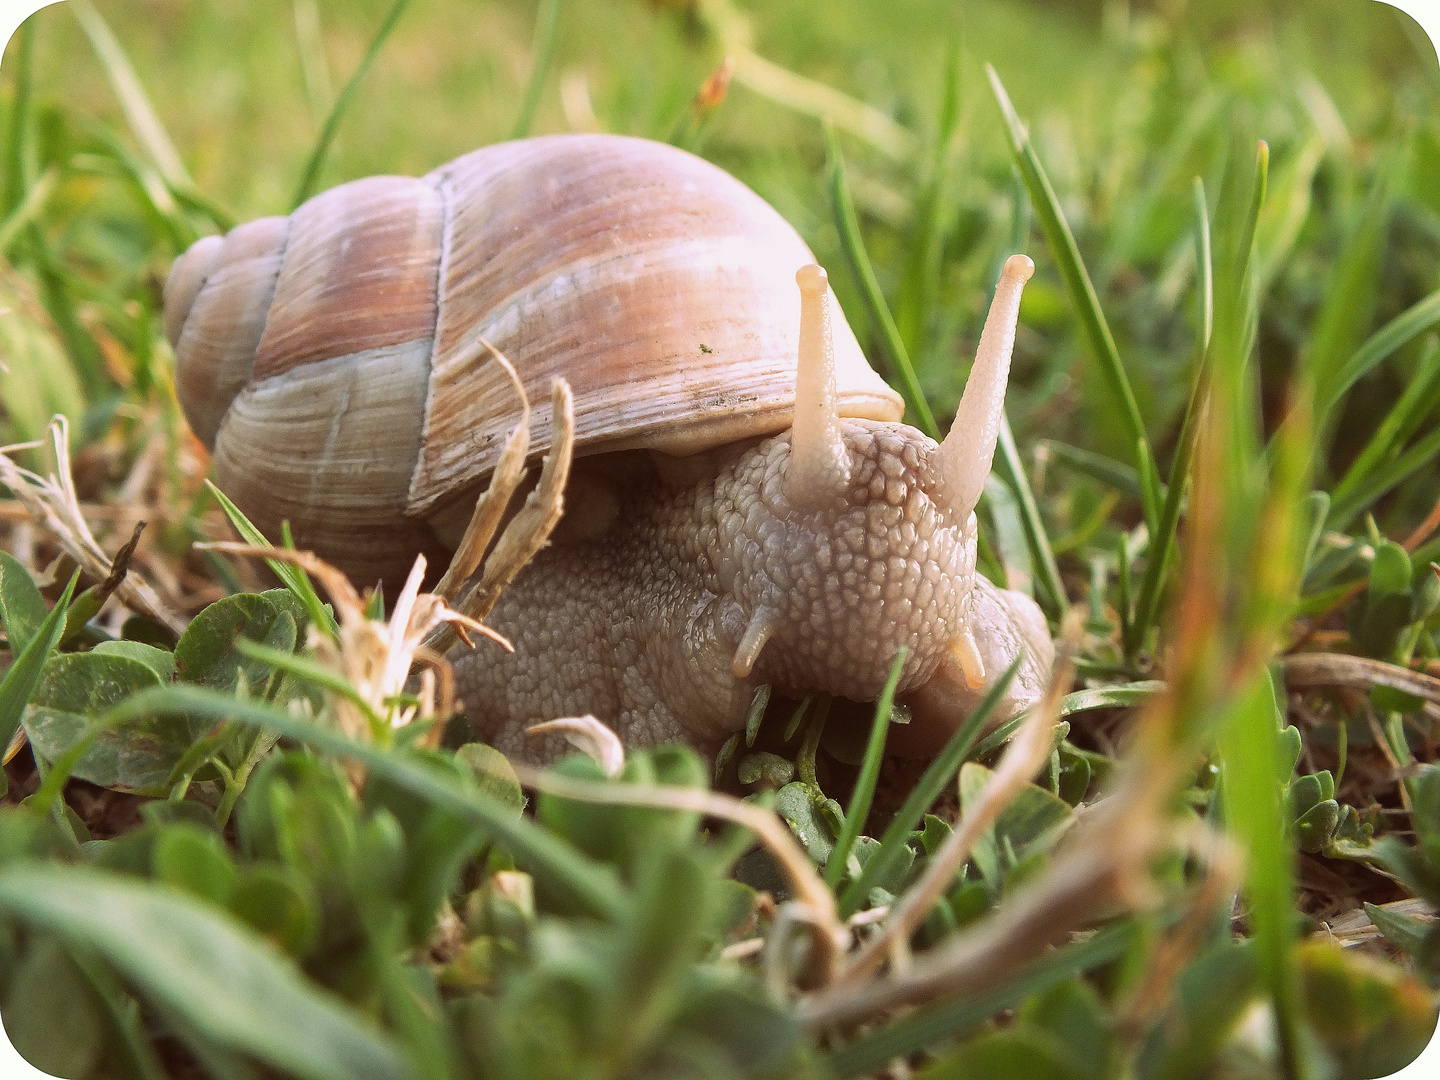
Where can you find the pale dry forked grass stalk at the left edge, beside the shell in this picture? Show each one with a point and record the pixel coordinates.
(53, 502)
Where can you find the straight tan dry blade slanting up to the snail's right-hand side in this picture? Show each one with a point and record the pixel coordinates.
(1025, 758)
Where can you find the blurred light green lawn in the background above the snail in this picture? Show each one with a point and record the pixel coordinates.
(1125, 102)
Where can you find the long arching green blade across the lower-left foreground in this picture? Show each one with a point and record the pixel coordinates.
(551, 860)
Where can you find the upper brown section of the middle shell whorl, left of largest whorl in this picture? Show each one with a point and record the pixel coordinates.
(359, 274)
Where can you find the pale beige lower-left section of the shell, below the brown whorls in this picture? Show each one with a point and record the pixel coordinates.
(330, 447)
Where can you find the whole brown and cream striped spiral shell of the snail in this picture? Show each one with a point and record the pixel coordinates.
(329, 358)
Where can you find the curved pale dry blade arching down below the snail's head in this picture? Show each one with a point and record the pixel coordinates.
(813, 894)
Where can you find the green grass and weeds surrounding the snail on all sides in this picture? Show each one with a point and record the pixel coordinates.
(1219, 470)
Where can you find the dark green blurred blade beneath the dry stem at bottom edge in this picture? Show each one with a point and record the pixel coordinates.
(947, 1020)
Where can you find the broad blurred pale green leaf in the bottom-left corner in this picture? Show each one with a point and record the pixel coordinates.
(189, 957)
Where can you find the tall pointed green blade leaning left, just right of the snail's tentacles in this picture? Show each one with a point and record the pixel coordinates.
(1082, 293)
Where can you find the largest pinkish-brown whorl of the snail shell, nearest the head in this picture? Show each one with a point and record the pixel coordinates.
(657, 284)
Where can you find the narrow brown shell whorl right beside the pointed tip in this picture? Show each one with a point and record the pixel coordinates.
(215, 348)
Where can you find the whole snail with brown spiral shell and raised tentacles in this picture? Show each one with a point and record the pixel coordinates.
(745, 505)
